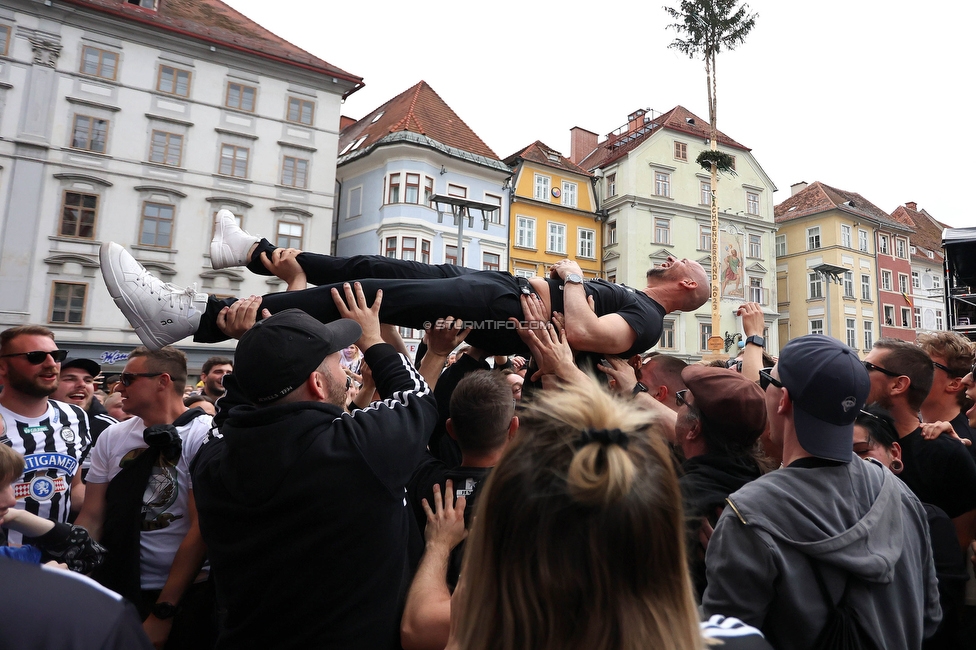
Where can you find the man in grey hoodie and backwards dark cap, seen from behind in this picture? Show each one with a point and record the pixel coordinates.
(826, 513)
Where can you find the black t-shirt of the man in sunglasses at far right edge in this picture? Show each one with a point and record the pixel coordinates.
(940, 472)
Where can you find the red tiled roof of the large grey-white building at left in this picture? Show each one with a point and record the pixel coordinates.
(215, 22)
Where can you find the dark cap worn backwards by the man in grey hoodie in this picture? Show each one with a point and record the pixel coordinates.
(828, 386)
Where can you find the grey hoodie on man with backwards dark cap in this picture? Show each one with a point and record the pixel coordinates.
(856, 518)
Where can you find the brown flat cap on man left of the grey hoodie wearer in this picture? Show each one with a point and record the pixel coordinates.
(734, 406)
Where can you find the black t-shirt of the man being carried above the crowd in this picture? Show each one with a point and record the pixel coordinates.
(644, 315)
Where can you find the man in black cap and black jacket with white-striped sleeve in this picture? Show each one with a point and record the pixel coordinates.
(301, 504)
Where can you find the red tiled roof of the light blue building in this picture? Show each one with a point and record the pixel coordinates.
(419, 110)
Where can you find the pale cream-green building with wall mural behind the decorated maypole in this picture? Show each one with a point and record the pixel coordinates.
(656, 200)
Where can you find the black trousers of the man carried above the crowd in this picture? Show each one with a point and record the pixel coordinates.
(414, 294)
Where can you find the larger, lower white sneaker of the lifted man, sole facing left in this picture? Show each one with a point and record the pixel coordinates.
(160, 313)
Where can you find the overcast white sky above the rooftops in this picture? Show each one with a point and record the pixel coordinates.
(870, 96)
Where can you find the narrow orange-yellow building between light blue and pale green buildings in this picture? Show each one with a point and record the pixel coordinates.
(552, 215)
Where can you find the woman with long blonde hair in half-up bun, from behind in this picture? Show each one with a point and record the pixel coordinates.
(577, 541)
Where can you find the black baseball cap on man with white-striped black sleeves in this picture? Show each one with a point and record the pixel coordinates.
(278, 354)
